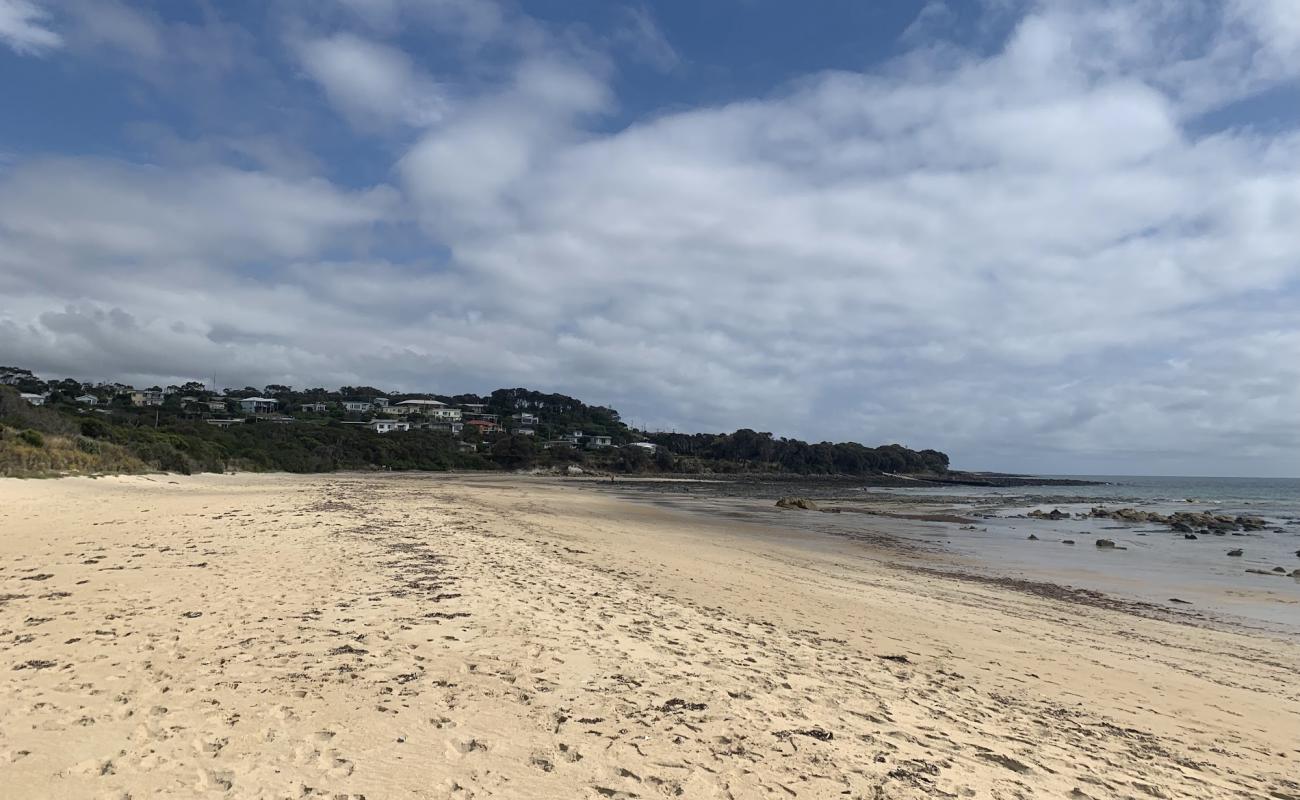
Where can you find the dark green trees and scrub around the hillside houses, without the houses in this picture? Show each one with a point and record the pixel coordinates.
(180, 440)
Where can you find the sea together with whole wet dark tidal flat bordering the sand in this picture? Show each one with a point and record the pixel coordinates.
(1151, 564)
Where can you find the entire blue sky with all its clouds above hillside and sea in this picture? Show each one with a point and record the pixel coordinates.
(1054, 236)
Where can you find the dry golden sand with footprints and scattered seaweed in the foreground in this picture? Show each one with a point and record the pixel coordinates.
(423, 637)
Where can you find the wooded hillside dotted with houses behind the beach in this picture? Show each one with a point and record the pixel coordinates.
(198, 427)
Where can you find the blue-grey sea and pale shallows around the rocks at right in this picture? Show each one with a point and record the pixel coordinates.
(1152, 563)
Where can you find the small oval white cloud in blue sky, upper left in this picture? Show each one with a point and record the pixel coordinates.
(374, 84)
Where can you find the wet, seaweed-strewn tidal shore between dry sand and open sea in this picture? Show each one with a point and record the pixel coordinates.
(946, 534)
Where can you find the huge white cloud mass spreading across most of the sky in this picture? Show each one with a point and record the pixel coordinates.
(1029, 258)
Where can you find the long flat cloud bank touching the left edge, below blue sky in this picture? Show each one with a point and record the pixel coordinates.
(107, 213)
